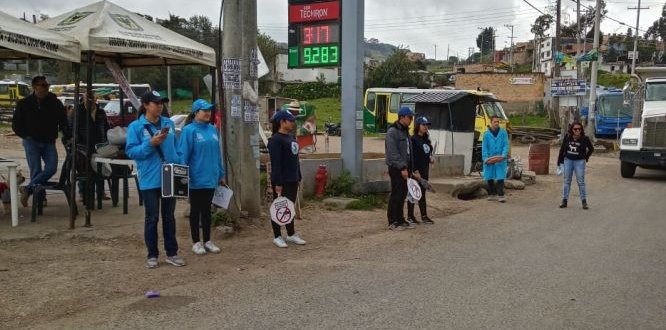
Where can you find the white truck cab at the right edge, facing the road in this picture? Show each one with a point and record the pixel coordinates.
(645, 146)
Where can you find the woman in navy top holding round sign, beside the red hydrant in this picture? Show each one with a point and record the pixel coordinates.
(285, 177)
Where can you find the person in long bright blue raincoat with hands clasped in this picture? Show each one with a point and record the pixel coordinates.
(495, 150)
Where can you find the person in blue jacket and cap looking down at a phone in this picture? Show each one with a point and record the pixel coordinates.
(151, 141)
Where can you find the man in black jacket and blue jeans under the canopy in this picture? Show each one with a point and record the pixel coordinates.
(37, 120)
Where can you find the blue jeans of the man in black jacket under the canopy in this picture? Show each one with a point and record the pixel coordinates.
(35, 152)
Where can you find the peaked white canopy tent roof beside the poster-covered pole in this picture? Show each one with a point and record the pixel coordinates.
(114, 32)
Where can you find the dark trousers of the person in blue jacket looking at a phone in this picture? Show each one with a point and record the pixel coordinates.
(151, 203)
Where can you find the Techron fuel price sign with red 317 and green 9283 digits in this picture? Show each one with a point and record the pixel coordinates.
(314, 34)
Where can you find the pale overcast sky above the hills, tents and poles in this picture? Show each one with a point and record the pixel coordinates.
(417, 24)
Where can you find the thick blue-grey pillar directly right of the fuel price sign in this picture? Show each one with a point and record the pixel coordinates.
(353, 12)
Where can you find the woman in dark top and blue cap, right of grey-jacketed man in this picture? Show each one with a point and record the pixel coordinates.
(422, 158)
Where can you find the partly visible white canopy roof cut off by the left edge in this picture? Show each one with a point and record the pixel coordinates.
(20, 39)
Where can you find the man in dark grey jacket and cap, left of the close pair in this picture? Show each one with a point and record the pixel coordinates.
(399, 161)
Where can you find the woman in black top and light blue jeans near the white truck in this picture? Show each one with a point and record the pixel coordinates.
(574, 154)
